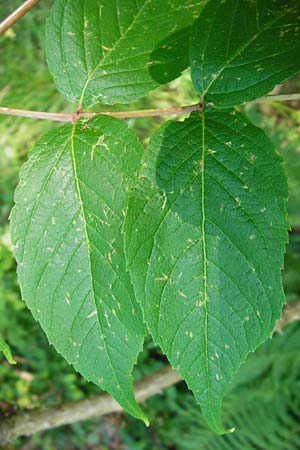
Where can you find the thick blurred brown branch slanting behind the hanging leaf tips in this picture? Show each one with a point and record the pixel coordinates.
(25, 423)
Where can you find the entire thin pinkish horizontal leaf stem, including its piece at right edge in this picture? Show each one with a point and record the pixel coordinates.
(73, 117)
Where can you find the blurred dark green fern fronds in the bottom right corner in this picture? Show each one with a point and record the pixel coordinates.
(265, 410)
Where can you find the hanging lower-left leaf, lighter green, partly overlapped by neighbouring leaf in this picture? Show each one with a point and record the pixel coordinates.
(67, 232)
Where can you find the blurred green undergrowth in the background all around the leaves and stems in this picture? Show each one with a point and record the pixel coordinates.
(264, 402)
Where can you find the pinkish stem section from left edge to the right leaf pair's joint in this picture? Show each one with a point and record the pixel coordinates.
(73, 117)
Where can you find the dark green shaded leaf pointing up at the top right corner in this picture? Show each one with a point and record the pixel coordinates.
(241, 49)
